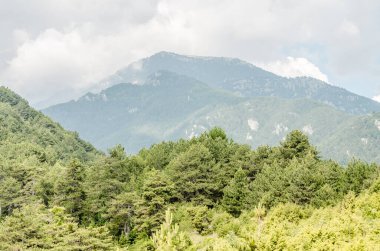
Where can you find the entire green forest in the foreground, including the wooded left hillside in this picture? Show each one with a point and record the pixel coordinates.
(58, 192)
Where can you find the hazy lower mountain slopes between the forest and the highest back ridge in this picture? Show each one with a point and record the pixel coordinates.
(169, 106)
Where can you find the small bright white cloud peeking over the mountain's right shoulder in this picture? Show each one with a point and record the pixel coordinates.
(294, 67)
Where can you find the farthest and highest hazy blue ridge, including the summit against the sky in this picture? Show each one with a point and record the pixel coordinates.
(244, 79)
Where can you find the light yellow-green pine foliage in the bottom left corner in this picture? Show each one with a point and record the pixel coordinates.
(33, 227)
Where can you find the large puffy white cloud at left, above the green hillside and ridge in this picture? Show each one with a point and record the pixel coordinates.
(59, 65)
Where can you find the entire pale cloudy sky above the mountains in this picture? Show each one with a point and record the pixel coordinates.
(52, 51)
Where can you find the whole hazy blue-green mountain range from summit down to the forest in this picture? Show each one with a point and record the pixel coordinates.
(169, 96)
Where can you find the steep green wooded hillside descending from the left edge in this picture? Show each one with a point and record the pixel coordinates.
(25, 132)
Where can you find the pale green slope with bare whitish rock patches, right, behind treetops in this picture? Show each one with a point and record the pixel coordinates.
(259, 121)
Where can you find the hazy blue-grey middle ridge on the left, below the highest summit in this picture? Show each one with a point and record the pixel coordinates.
(138, 115)
